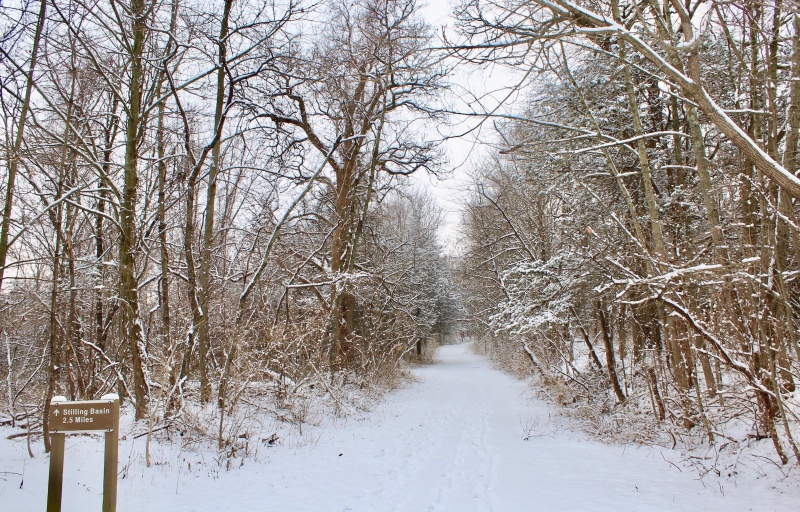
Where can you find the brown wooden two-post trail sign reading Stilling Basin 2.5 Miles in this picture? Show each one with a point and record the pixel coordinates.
(85, 416)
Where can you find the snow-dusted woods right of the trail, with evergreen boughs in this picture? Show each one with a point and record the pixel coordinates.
(635, 237)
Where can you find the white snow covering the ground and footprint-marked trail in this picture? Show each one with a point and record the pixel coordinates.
(462, 437)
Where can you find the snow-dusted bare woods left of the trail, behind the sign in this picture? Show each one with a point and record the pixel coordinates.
(198, 199)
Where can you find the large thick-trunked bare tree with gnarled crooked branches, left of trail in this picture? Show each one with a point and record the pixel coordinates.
(375, 70)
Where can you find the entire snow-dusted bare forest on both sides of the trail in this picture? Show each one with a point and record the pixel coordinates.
(209, 203)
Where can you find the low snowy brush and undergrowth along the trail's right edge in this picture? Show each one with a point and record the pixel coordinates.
(586, 401)
